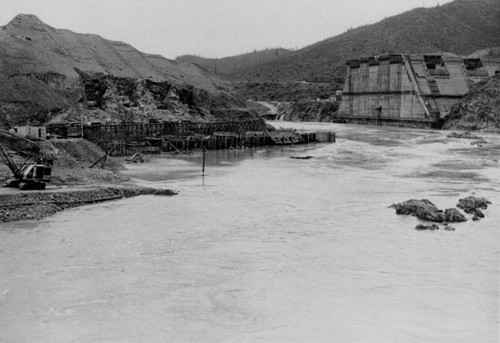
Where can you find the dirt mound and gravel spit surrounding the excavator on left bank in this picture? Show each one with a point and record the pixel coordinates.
(72, 160)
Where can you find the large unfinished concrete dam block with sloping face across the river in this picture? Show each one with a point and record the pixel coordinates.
(409, 90)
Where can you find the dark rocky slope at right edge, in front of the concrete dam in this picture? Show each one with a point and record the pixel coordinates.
(479, 110)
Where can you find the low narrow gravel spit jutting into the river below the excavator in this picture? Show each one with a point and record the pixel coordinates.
(37, 205)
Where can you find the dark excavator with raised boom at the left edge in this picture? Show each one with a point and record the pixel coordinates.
(34, 171)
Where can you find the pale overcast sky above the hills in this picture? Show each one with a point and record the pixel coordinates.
(210, 28)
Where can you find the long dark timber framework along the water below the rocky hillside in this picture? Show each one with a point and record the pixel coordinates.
(180, 137)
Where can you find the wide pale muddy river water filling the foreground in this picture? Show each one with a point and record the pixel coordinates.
(269, 249)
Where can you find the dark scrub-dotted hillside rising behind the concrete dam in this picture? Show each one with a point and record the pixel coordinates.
(461, 27)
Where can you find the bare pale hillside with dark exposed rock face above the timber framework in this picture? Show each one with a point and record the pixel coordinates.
(49, 74)
